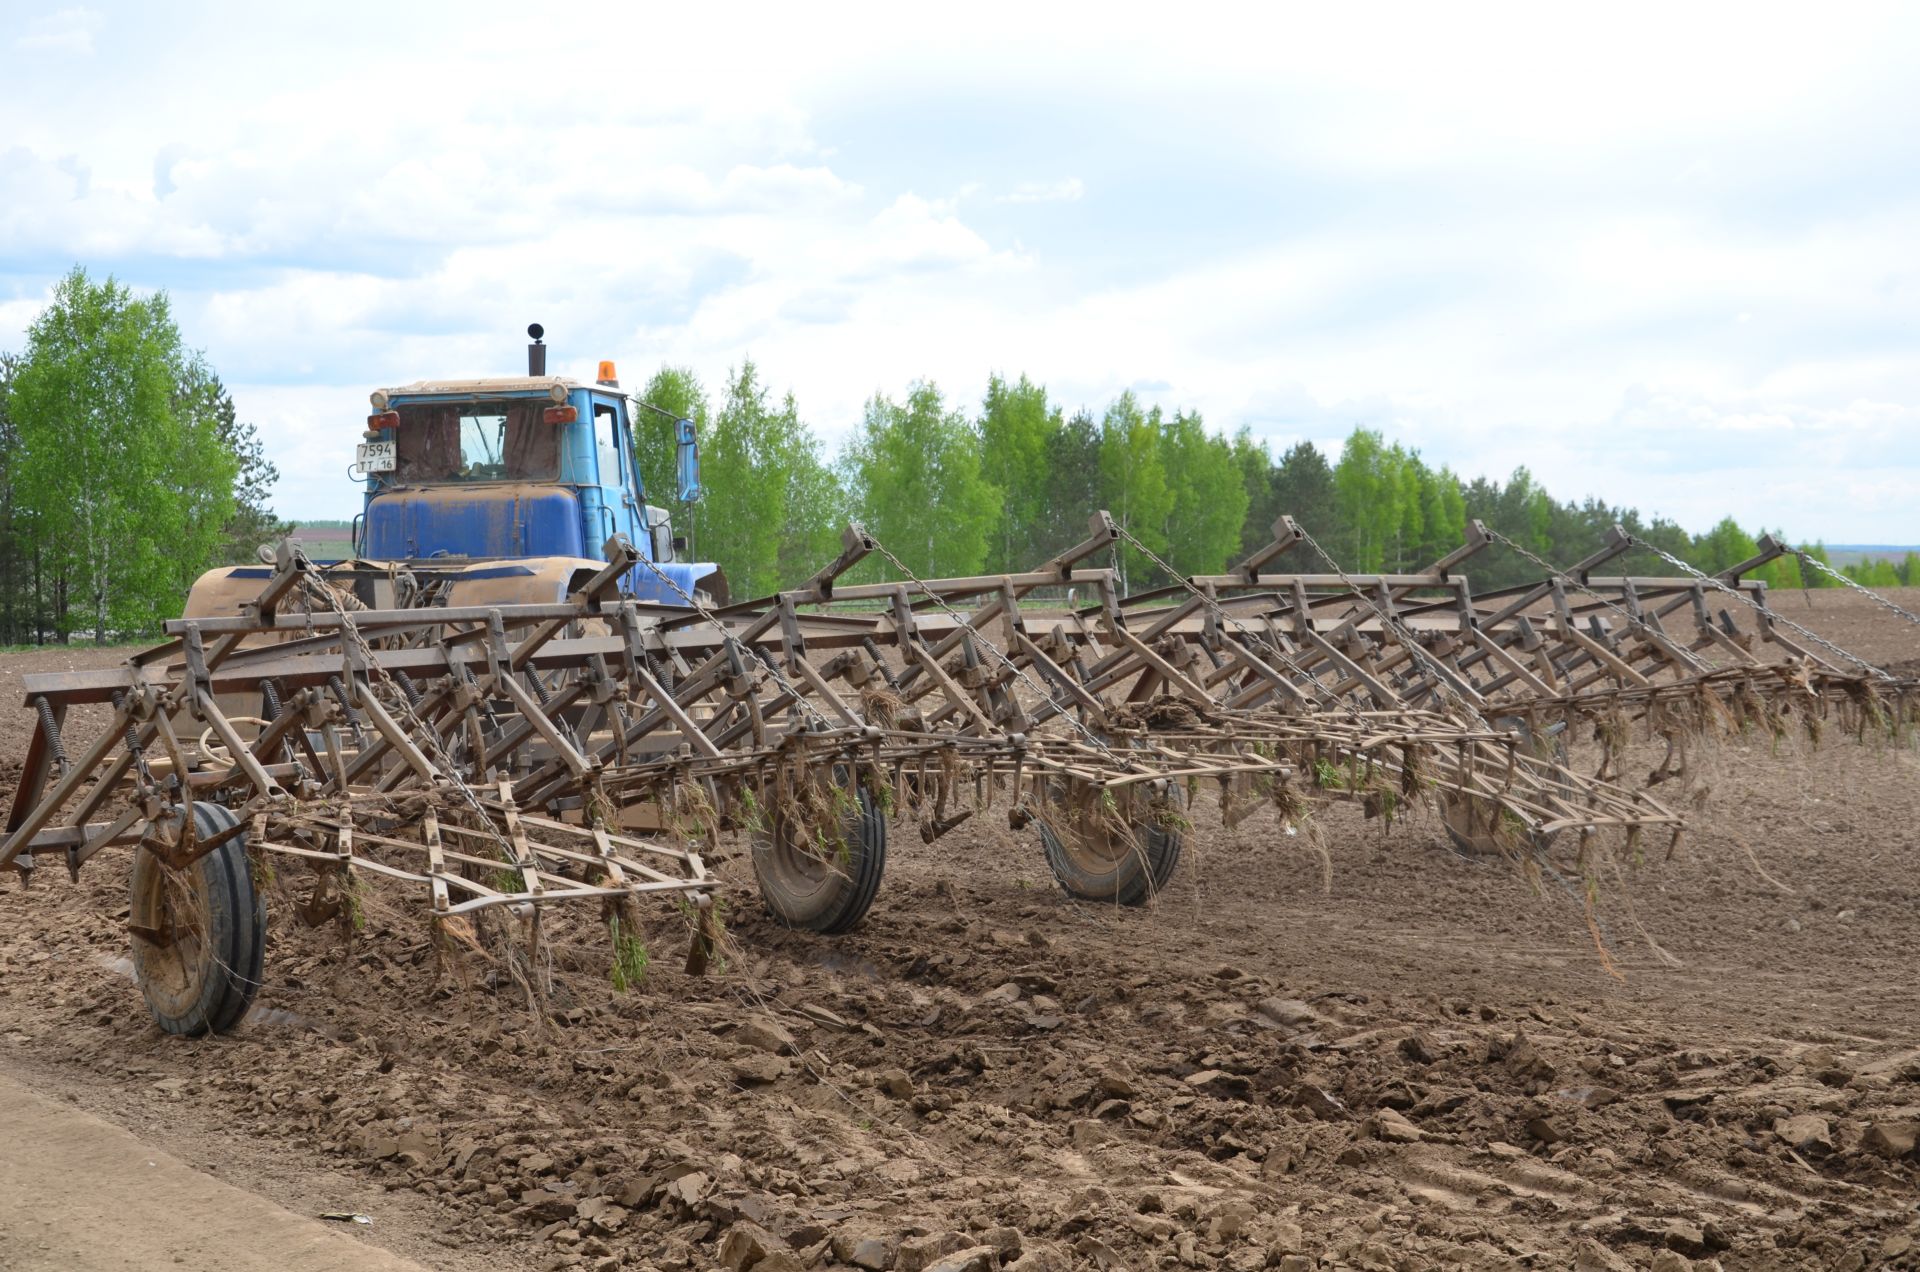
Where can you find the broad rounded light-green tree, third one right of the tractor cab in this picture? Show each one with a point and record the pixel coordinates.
(917, 481)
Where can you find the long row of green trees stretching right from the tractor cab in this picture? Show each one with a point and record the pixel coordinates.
(961, 489)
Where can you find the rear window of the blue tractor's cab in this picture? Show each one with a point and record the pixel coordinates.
(477, 443)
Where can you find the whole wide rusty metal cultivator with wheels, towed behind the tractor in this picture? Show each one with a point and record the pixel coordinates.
(512, 758)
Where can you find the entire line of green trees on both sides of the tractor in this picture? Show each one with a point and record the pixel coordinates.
(126, 474)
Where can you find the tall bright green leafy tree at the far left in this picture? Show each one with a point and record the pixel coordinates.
(122, 466)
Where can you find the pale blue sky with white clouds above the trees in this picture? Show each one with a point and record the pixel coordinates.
(1668, 257)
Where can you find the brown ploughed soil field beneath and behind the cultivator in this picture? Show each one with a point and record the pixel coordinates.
(1380, 1058)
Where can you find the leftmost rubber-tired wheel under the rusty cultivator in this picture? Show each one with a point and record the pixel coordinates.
(212, 994)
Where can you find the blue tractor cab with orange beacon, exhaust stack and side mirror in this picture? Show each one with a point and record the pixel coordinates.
(519, 476)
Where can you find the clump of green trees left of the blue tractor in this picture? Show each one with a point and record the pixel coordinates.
(124, 470)
